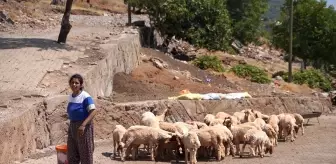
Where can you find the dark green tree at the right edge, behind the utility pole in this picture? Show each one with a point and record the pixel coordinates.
(314, 28)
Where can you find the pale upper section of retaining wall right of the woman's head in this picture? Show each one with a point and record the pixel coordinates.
(122, 56)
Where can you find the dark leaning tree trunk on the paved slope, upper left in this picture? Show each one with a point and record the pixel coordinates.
(65, 25)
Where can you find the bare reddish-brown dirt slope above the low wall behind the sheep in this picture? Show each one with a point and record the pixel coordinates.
(148, 82)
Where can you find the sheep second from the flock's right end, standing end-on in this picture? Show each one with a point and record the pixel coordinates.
(287, 125)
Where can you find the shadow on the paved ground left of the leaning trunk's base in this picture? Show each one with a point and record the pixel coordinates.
(43, 44)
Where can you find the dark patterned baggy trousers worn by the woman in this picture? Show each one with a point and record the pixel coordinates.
(80, 148)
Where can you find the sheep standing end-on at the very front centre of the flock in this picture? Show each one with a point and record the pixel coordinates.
(191, 143)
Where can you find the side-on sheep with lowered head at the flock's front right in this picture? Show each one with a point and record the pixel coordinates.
(257, 138)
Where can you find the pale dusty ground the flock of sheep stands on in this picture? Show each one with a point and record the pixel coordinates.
(317, 145)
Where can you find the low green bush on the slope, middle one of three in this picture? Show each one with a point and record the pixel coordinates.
(252, 73)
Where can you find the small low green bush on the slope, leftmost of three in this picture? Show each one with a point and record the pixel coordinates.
(209, 62)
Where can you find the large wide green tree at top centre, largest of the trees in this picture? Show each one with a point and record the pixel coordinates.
(205, 23)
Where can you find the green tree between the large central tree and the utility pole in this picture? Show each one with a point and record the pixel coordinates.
(246, 18)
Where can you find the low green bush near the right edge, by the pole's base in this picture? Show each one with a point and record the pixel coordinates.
(313, 78)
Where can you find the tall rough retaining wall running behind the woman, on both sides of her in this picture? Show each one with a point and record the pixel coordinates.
(45, 123)
